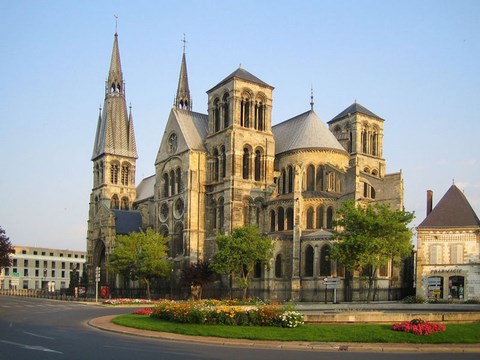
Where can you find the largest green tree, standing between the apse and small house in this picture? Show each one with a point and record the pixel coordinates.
(370, 236)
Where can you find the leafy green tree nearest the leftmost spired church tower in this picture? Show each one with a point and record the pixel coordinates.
(141, 256)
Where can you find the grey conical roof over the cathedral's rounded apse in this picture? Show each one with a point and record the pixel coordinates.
(304, 131)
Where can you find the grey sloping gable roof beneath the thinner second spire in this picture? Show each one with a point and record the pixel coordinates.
(194, 127)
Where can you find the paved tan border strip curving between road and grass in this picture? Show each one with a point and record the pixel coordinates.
(104, 323)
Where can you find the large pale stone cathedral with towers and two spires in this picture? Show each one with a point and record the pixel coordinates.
(231, 167)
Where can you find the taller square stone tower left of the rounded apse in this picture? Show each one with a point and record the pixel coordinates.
(240, 152)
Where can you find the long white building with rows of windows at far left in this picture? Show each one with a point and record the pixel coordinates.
(41, 268)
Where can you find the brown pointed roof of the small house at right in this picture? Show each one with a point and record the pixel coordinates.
(453, 210)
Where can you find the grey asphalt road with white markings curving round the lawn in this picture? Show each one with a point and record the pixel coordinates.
(40, 329)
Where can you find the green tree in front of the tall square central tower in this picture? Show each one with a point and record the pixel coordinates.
(239, 252)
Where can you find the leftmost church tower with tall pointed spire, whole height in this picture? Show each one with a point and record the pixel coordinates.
(114, 157)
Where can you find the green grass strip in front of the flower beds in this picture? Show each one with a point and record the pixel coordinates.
(468, 333)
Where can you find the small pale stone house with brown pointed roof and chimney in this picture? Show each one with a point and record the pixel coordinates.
(448, 249)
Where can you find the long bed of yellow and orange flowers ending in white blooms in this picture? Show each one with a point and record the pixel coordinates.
(208, 312)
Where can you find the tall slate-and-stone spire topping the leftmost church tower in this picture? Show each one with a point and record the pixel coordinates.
(115, 129)
